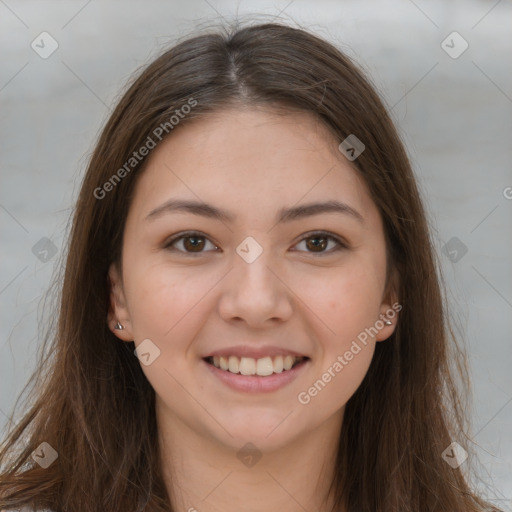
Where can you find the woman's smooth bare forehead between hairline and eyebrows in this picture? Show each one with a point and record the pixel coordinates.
(251, 158)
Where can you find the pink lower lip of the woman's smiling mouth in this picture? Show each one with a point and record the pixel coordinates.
(255, 383)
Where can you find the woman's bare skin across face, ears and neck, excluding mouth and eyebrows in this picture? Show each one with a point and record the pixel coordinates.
(251, 162)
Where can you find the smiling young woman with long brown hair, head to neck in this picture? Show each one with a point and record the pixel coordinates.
(251, 316)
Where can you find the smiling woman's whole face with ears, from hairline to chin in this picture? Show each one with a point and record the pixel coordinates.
(230, 276)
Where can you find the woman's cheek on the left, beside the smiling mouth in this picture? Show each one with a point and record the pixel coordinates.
(167, 306)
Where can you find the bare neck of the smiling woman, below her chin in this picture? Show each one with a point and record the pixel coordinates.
(203, 475)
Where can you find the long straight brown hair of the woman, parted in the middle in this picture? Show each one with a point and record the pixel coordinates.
(92, 402)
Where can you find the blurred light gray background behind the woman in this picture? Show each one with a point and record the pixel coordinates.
(454, 114)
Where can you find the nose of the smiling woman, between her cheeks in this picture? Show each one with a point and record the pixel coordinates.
(255, 293)
